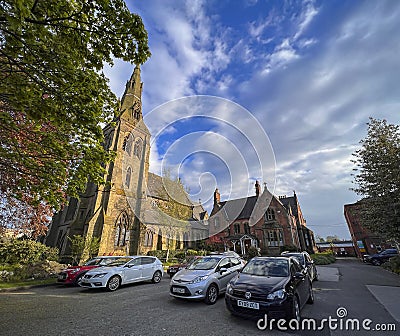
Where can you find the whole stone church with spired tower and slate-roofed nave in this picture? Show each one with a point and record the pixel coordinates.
(136, 211)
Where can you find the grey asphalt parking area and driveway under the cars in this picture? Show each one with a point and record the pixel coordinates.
(364, 291)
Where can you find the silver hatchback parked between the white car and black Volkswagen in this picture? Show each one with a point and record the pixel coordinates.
(205, 278)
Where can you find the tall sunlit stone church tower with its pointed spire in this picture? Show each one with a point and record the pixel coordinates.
(118, 204)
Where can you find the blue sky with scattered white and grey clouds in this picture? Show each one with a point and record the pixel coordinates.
(274, 91)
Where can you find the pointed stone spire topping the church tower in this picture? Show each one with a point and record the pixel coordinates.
(131, 104)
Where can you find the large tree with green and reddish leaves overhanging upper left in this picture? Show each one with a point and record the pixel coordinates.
(53, 94)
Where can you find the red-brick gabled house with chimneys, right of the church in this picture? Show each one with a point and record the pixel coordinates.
(264, 221)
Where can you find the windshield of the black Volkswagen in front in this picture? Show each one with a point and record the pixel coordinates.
(267, 267)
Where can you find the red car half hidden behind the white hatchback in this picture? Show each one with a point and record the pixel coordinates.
(73, 274)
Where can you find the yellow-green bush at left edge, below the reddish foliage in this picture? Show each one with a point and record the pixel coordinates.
(26, 251)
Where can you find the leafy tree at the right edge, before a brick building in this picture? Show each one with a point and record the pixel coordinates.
(378, 179)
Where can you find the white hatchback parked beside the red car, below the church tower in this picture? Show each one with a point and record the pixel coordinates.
(123, 271)
